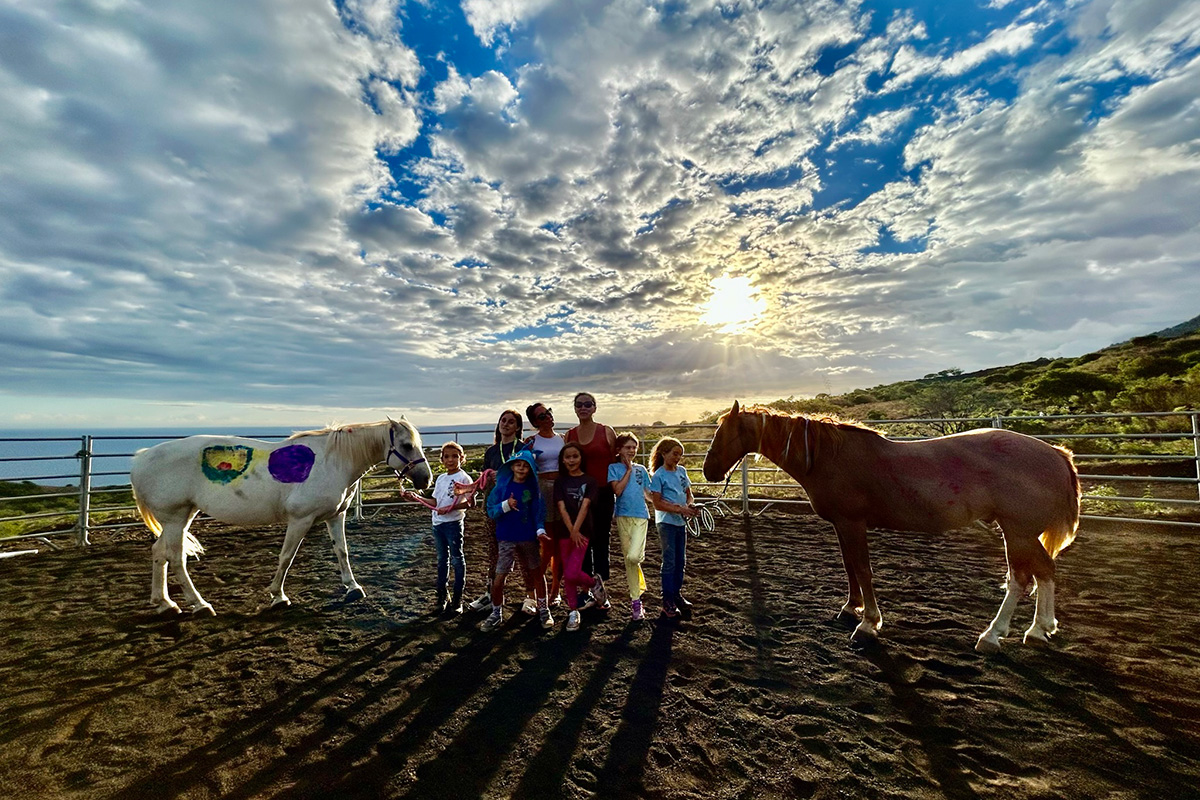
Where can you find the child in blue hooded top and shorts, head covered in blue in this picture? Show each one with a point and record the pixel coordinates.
(520, 515)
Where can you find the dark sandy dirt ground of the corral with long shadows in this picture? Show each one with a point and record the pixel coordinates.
(759, 696)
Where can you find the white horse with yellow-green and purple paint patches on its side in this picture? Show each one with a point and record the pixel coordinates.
(303, 480)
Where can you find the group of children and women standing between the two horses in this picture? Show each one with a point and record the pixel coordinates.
(562, 526)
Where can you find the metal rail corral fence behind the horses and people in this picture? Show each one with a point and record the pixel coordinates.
(1142, 468)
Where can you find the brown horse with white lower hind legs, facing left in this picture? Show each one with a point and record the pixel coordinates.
(857, 479)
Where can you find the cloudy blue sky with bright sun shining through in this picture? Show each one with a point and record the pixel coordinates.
(293, 212)
